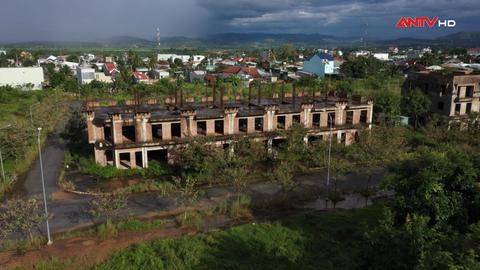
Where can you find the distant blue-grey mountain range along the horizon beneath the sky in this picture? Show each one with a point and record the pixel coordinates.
(262, 40)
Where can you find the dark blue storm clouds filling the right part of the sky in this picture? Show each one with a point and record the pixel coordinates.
(373, 18)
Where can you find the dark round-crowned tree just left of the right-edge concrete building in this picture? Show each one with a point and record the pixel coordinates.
(416, 105)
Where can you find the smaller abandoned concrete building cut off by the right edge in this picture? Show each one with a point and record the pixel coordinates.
(454, 94)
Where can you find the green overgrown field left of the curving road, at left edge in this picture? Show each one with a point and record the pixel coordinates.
(24, 111)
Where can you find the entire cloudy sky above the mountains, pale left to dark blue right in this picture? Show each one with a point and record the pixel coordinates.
(91, 20)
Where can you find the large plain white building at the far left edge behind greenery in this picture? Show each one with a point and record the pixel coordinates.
(24, 77)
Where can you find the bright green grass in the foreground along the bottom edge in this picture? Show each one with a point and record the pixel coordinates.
(311, 241)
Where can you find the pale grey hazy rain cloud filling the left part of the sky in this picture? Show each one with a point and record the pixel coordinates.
(95, 19)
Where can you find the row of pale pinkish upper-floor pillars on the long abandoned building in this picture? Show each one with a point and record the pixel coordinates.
(188, 124)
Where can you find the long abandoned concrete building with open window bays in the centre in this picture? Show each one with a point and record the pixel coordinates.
(131, 135)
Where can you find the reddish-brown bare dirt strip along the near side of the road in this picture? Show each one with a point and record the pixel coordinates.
(85, 252)
